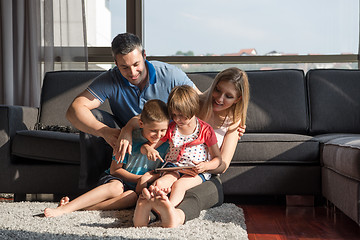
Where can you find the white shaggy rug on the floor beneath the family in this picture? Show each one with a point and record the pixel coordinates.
(21, 220)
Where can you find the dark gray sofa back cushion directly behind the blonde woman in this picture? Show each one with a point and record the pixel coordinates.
(278, 100)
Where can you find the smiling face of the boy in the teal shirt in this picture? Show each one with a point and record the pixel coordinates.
(154, 131)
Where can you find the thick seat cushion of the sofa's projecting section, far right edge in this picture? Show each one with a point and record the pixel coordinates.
(342, 155)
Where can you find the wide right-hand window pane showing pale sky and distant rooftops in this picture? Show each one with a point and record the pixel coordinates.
(243, 28)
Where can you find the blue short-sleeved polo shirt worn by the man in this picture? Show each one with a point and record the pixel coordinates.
(126, 100)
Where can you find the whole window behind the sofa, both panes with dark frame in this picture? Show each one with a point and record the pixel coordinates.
(203, 35)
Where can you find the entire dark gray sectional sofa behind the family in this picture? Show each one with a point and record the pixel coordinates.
(302, 138)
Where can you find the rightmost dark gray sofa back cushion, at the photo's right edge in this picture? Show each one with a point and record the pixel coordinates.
(334, 98)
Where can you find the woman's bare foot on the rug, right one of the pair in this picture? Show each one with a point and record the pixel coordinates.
(170, 216)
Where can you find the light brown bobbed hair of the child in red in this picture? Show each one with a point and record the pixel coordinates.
(183, 99)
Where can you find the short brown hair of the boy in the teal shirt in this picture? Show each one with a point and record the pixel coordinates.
(154, 110)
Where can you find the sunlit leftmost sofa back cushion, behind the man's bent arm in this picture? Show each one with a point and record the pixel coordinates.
(59, 90)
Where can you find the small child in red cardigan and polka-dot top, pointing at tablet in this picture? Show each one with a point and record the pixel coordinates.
(192, 143)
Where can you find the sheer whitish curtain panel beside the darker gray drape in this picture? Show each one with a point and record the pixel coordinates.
(64, 33)
